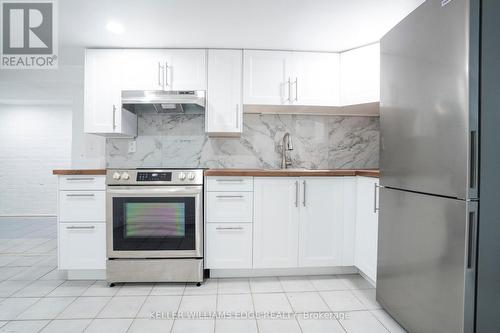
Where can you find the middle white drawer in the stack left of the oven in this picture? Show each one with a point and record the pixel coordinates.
(82, 206)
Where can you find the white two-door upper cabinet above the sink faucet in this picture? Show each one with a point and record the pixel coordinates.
(291, 78)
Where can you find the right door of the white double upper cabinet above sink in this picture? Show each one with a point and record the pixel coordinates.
(316, 79)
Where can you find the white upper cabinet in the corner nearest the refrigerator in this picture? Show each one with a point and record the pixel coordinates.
(360, 75)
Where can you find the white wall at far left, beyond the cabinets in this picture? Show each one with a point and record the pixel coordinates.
(34, 139)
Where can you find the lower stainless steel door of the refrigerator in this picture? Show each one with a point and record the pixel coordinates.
(426, 261)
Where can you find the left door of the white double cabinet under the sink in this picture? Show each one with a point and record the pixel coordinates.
(276, 217)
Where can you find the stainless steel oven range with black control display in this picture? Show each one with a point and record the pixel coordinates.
(154, 225)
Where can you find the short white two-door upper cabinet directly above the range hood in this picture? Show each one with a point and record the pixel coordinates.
(164, 69)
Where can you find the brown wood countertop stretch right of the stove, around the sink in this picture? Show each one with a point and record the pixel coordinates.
(291, 172)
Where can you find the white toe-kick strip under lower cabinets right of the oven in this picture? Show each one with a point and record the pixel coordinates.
(260, 272)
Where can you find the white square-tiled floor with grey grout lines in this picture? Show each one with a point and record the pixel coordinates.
(35, 297)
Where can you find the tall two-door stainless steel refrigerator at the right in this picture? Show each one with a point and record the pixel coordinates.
(437, 120)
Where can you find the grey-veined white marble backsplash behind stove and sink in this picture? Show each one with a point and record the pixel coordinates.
(319, 142)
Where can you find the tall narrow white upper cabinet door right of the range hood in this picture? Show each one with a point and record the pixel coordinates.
(224, 111)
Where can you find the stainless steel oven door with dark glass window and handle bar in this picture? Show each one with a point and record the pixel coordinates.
(154, 222)
